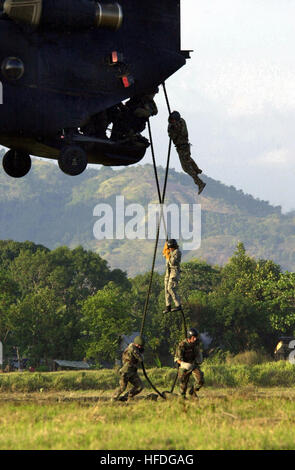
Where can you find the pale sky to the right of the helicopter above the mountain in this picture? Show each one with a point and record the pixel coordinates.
(237, 95)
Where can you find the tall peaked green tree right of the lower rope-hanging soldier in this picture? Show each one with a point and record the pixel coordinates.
(235, 314)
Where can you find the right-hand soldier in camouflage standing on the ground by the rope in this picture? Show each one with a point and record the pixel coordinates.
(189, 357)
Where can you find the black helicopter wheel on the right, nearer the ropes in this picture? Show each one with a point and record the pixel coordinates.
(72, 160)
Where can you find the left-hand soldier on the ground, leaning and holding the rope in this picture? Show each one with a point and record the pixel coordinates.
(131, 358)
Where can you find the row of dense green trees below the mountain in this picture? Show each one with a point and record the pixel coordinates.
(68, 304)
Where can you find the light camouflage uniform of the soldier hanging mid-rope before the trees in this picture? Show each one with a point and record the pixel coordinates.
(172, 277)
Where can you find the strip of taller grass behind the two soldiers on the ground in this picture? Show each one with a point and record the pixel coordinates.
(262, 375)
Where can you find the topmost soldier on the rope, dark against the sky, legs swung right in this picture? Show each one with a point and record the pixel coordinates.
(178, 133)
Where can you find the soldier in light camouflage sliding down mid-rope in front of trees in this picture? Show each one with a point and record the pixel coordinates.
(172, 276)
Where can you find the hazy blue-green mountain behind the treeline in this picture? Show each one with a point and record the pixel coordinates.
(53, 209)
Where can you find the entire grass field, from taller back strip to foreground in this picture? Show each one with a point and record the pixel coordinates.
(241, 407)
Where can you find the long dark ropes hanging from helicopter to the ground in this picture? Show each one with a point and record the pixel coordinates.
(161, 198)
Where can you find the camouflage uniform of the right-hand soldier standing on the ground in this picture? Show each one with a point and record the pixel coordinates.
(190, 353)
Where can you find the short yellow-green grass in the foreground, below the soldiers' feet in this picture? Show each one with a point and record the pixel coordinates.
(245, 418)
